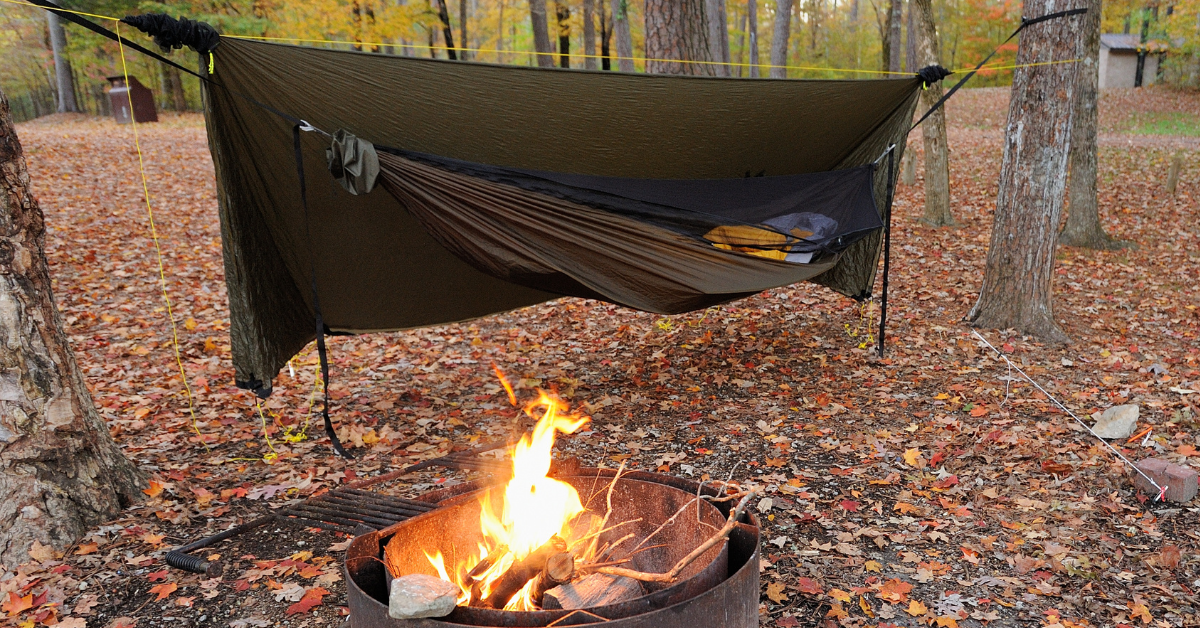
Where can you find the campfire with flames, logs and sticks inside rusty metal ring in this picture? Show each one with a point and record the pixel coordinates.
(556, 545)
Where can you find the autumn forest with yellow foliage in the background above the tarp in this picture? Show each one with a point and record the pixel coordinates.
(827, 39)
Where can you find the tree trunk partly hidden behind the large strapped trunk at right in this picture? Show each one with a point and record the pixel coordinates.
(1083, 210)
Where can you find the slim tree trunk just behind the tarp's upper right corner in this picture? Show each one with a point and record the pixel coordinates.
(933, 130)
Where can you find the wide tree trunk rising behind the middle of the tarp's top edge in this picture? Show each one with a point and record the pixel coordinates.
(677, 31)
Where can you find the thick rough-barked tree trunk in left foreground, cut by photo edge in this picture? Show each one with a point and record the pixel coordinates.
(61, 471)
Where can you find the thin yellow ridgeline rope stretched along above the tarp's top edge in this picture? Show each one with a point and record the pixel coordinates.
(496, 51)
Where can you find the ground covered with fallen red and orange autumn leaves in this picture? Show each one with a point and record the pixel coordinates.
(928, 488)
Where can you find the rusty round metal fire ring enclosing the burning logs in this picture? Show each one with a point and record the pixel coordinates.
(722, 589)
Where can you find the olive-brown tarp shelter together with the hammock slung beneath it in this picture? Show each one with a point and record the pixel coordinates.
(505, 187)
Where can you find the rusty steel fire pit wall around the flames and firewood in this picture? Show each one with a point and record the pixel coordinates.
(718, 589)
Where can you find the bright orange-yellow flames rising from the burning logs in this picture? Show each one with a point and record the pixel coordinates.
(535, 507)
